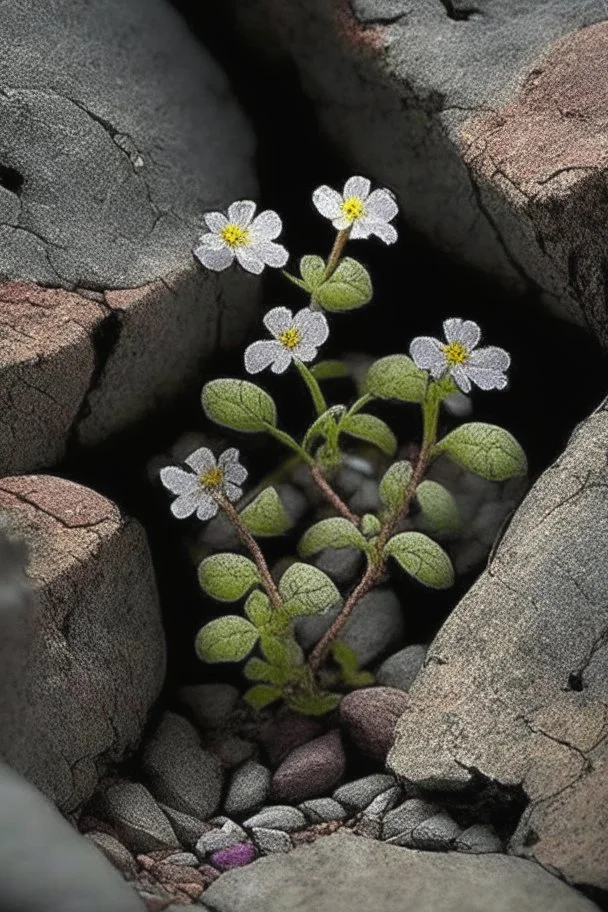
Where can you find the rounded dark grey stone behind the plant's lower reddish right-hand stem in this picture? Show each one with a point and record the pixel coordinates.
(375, 626)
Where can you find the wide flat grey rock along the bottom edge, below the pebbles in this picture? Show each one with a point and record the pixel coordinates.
(340, 873)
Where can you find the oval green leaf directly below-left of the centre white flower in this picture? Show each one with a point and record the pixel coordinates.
(239, 405)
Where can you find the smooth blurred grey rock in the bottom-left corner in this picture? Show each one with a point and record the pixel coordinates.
(46, 865)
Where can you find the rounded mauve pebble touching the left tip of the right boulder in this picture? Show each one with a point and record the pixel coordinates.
(369, 717)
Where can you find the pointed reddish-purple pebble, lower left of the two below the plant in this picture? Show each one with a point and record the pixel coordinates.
(310, 771)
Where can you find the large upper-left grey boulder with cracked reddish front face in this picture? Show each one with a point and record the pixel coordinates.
(118, 132)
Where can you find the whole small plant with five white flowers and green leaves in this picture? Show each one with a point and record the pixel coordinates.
(433, 370)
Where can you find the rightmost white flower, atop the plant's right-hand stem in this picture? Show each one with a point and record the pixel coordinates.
(460, 357)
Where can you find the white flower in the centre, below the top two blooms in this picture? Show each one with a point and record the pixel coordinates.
(294, 337)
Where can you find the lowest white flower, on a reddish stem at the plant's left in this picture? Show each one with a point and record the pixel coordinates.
(197, 490)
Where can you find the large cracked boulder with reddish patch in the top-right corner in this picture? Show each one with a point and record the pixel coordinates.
(487, 119)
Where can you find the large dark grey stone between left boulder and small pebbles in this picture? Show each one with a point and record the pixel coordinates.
(180, 772)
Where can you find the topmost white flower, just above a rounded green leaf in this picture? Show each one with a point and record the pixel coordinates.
(363, 212)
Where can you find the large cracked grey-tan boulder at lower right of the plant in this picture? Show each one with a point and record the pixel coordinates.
(514, 692)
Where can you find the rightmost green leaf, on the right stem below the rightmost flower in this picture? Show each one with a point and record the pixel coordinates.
(485, 450)
